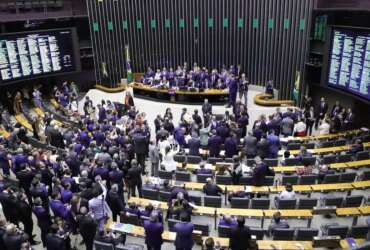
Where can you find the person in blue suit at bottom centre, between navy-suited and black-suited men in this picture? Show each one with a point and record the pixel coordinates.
(184, 231)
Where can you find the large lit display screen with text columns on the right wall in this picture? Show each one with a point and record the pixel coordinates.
(349, 61)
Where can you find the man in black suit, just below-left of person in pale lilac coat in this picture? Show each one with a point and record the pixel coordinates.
(87, 227)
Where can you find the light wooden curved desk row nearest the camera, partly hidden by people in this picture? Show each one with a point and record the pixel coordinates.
(138, 231)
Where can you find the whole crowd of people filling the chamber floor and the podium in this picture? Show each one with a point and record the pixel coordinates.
(78, 186)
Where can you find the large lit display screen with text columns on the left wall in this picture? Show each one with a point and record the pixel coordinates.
(36, 54)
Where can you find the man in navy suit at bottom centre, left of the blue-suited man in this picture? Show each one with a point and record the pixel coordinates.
(153, 232)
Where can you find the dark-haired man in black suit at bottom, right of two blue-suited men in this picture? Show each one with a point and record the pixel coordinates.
(239, 235)
